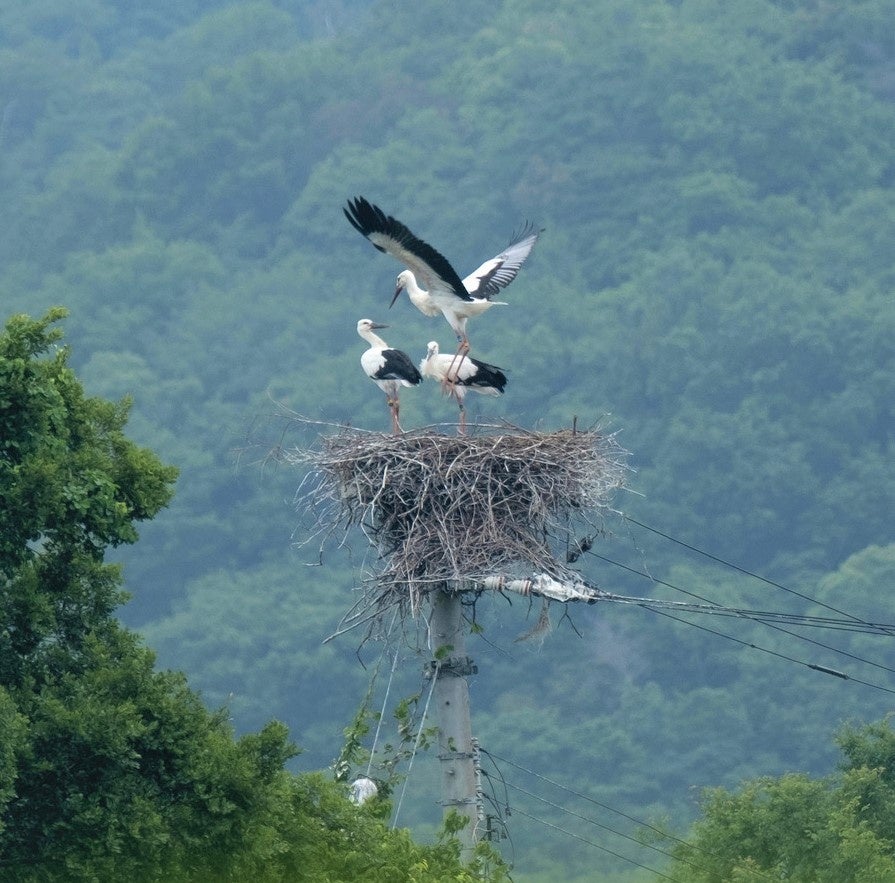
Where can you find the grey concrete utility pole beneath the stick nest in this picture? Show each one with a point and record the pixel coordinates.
(451, 666)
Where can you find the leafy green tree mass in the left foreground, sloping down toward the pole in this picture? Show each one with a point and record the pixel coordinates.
(108, 769)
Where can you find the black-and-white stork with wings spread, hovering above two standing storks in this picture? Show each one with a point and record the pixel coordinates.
(457, 299)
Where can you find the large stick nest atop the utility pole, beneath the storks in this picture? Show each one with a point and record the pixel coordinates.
(455, 509)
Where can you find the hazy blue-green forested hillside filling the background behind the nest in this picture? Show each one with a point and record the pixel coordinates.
(714, 284)
